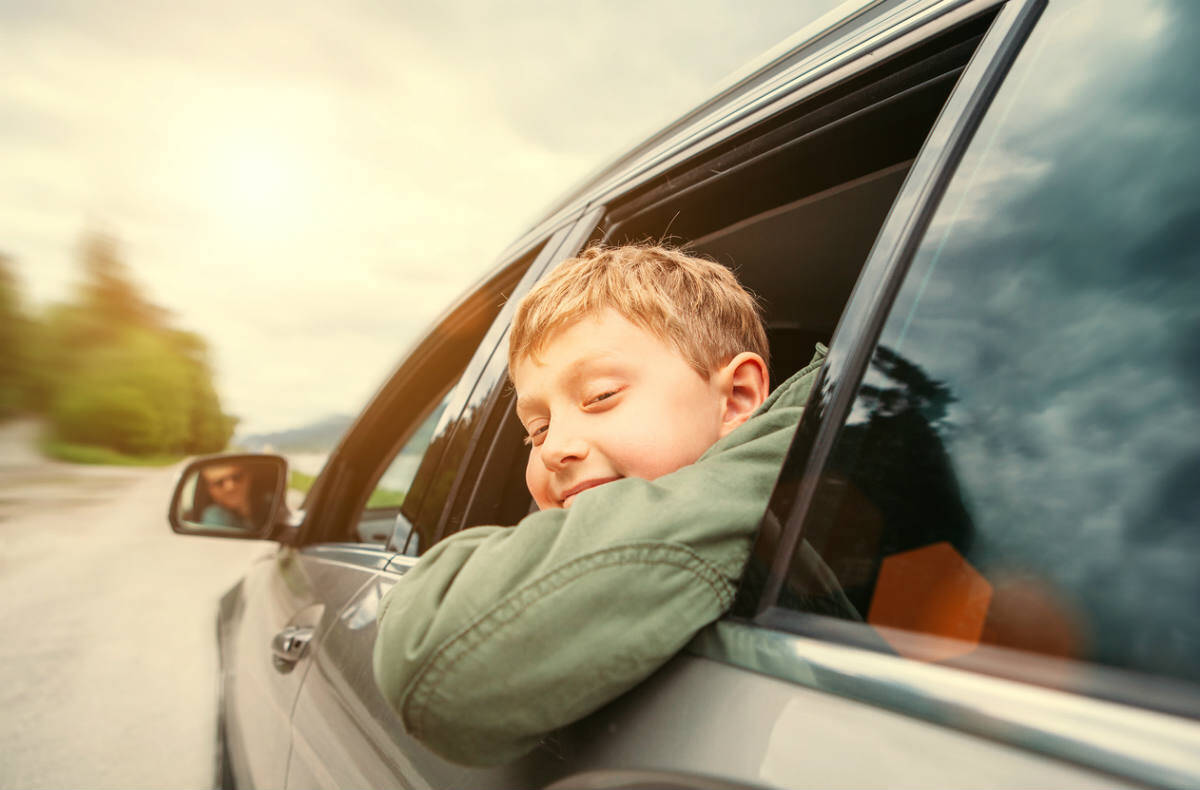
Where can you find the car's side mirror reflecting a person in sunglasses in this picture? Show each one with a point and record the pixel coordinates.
(230, 496)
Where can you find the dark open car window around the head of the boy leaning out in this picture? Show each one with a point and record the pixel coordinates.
(793, 206)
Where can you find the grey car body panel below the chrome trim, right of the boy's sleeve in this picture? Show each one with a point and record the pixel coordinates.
(704, 720)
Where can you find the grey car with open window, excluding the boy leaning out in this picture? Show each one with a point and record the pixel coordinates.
(991, 212)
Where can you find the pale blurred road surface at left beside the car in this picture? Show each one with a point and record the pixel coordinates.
(109, 661)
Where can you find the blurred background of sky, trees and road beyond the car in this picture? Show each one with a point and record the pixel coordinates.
(221, 225)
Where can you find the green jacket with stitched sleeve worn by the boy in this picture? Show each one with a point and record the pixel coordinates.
(501, 636)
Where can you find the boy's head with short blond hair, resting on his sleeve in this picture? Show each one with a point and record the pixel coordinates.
(632, 362)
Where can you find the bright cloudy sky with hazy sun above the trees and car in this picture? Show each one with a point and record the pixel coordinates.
(309, 185)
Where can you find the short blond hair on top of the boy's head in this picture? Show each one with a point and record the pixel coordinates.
(697, 306)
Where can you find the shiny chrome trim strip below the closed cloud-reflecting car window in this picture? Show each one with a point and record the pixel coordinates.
(1097, 734)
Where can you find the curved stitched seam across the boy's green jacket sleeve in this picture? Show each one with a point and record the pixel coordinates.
(425, 686)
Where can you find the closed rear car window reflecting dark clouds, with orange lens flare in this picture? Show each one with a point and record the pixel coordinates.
(1018, 475)
